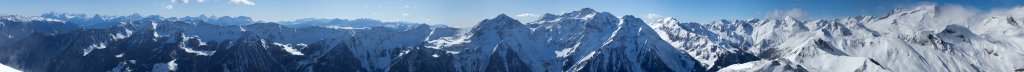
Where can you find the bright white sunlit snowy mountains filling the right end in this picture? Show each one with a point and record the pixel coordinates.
(923, 39)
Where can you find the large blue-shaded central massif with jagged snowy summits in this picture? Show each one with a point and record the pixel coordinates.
(584, 41)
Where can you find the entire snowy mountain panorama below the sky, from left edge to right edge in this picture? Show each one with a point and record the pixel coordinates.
(585, 41)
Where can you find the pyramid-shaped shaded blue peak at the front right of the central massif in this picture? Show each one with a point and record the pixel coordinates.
(634, 47)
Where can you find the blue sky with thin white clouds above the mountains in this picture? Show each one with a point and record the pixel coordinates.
(470, 13)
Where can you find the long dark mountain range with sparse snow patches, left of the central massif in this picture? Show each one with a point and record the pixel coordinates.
(177, 46)
